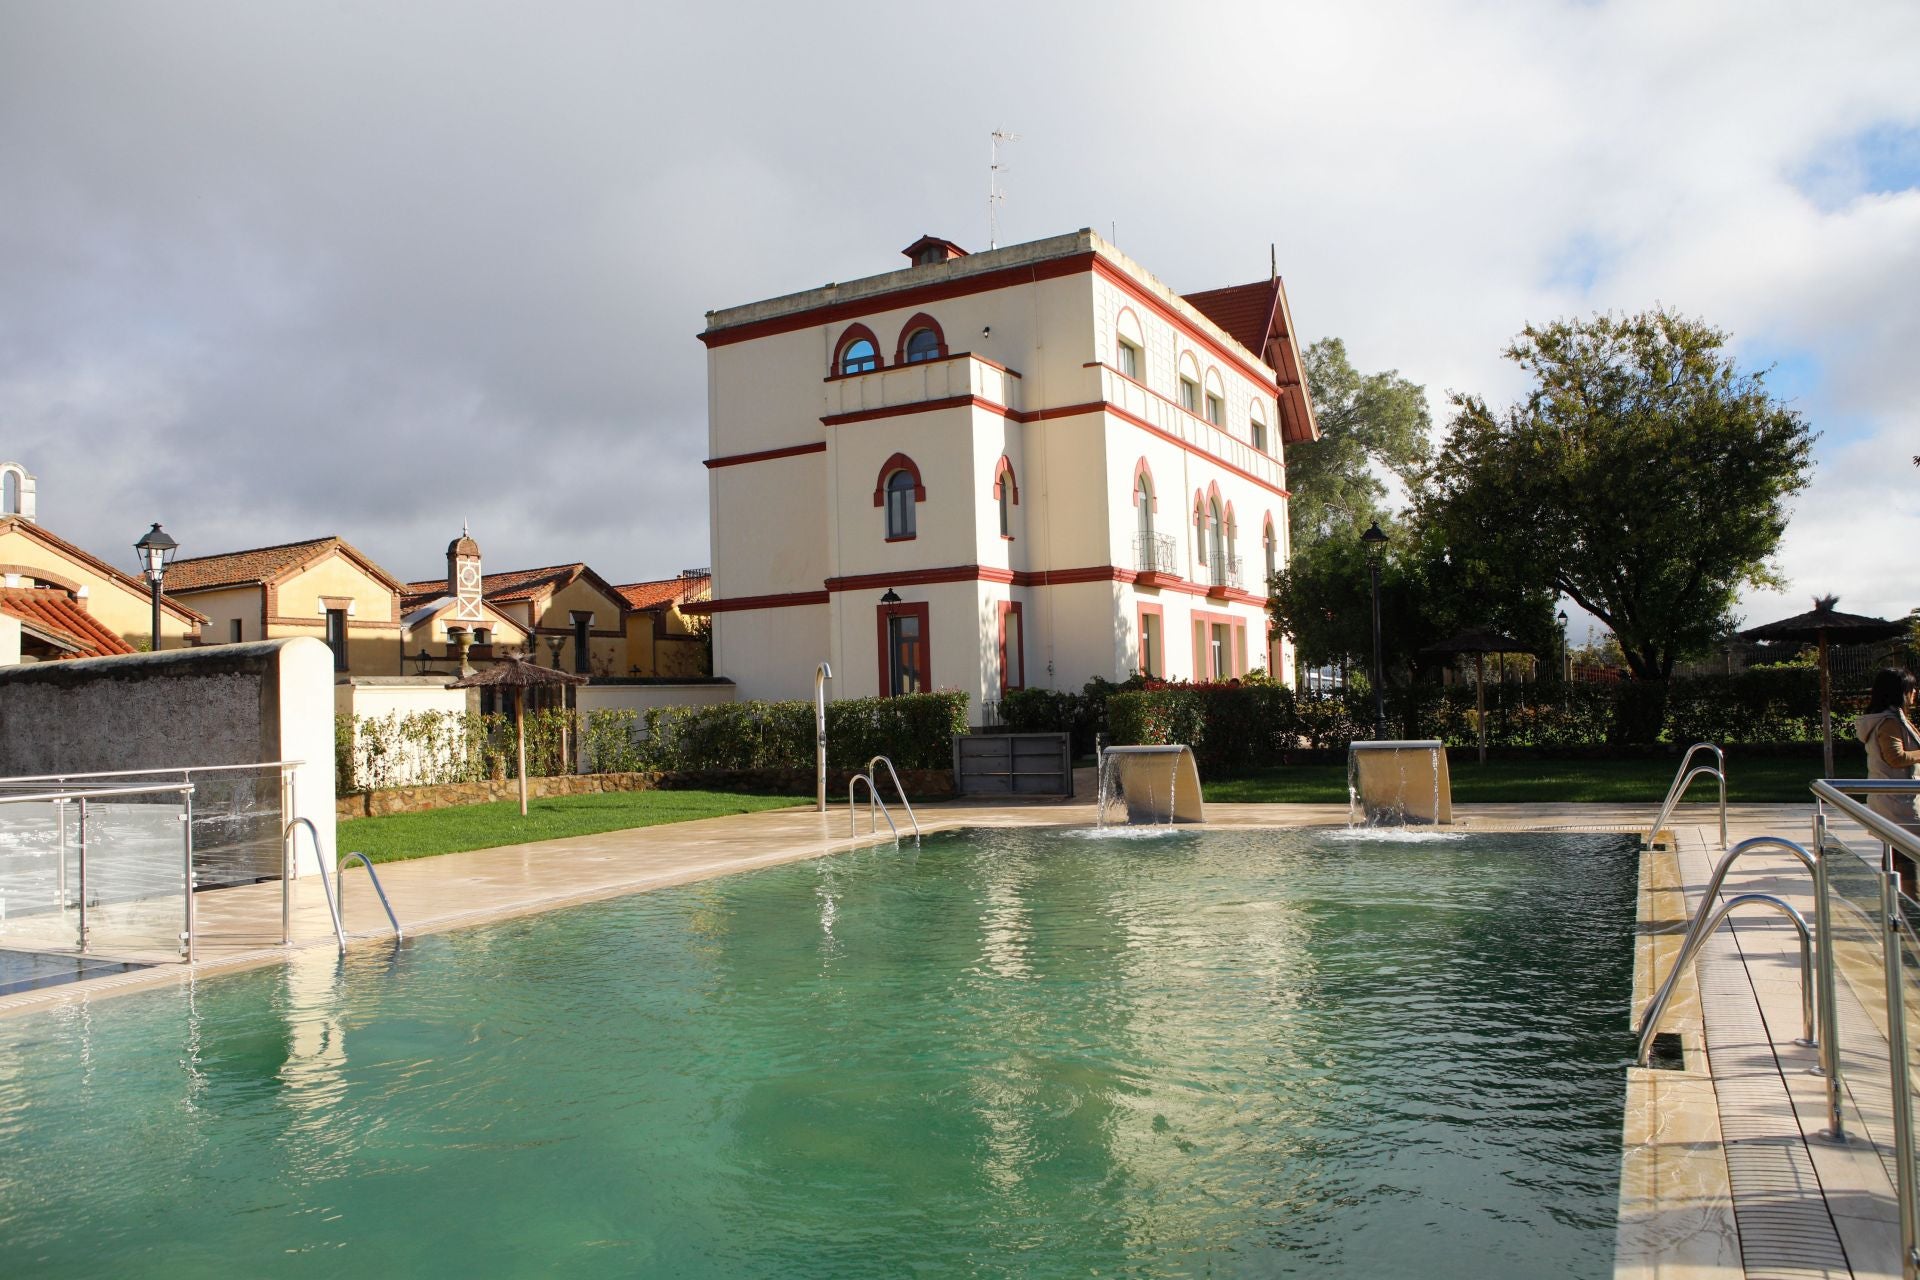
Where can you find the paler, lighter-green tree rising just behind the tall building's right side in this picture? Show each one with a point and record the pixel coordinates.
(1366, 421)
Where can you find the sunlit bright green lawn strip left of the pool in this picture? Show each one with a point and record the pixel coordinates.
(491, 826)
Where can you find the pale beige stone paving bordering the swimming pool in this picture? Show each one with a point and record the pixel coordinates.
(1725, 1168)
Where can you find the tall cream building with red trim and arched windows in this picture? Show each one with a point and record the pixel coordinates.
(1011, 469)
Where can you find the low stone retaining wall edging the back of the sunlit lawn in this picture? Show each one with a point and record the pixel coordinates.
(921, 786)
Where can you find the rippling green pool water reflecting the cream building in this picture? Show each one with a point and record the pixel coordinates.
(1015, 1055)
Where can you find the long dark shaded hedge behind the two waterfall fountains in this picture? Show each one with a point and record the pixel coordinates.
(1237, 726)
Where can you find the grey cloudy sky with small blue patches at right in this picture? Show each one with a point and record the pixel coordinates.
(272, 272)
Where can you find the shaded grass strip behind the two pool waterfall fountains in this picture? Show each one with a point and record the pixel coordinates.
(1606, 782)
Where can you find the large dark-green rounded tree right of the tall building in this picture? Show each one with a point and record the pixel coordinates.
(1643, 475)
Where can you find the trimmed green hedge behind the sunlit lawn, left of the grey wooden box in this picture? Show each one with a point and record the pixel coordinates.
(915, 732)
